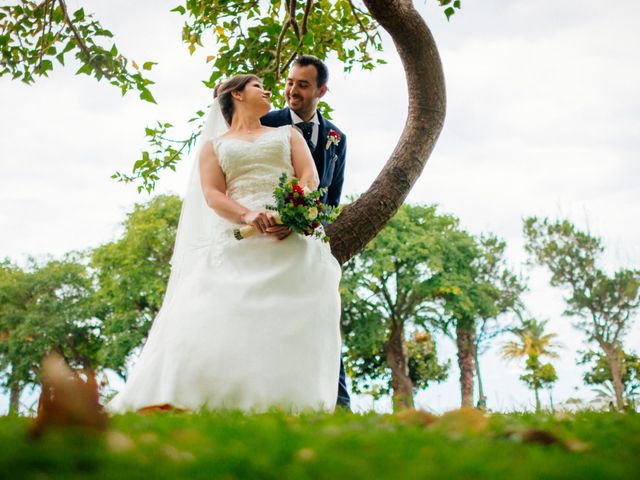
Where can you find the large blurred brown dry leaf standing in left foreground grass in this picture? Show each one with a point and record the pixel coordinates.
(66, 399)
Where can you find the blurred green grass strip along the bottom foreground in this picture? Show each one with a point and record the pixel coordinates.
(230, 445)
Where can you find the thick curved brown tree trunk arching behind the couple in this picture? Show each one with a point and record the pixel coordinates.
(362, 220)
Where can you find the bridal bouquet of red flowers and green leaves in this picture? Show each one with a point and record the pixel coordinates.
(298, 208)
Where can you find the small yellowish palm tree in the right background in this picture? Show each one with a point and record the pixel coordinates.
(533, 343)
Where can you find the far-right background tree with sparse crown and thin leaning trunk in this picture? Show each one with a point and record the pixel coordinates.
(603, 305)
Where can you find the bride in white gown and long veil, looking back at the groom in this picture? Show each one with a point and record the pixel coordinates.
(248, 324)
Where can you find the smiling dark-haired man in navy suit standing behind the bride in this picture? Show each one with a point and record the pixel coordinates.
(306, 85)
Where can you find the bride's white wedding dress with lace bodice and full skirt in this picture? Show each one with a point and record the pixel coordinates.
(249, 324)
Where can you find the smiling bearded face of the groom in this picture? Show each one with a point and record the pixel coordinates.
(301, 91)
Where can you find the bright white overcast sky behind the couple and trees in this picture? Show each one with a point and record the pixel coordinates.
(543, 119)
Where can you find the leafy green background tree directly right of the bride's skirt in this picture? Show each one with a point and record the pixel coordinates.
(387, 298)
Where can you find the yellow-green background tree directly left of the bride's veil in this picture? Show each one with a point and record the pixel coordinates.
(132, 274)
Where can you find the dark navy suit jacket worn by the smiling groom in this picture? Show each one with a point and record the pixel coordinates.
(329, 161)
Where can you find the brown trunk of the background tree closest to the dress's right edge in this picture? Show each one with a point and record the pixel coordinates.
(398, 361)
